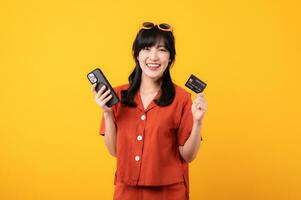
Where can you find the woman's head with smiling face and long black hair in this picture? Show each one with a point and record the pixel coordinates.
(154, 54)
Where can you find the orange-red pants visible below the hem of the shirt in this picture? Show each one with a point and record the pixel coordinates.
(176, 191)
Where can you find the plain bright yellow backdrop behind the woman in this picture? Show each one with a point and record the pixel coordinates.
(247, 51)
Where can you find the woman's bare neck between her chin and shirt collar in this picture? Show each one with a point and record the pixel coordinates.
(148, 85)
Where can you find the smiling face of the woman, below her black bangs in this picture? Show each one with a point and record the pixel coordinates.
(154, 60)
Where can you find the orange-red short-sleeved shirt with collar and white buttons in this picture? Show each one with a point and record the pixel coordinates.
(147, 140)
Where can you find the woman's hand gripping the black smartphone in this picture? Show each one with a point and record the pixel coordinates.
(101, 98)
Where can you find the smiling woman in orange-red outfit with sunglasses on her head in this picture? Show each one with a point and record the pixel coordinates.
(155, 131)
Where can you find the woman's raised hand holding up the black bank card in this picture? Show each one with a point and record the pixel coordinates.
(198, 108)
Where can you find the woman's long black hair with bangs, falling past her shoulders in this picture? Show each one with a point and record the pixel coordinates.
(148, 38)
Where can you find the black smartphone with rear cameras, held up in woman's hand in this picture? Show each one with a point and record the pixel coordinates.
(96, 76)
